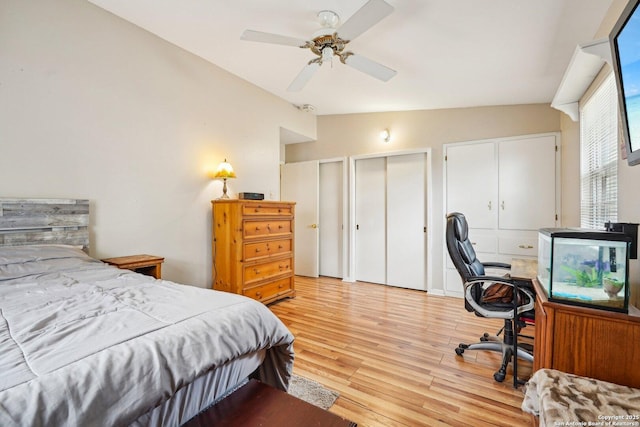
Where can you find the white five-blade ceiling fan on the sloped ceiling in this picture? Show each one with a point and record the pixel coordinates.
(330, 41)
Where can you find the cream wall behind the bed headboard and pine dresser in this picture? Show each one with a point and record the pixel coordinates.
(94, 107)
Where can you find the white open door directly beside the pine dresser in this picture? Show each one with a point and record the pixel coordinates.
(299, 183)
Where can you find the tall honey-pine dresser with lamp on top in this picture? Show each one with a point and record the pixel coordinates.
(253, 248)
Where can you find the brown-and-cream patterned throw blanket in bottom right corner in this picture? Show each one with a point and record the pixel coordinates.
(558, 398)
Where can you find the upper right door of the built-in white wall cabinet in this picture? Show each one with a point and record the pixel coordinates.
(527, 183)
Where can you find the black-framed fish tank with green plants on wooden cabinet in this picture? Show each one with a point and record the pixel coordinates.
(585, 267)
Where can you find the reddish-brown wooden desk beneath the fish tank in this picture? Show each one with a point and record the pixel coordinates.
(586, 341)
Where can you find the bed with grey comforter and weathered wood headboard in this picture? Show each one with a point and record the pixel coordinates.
(85, 343)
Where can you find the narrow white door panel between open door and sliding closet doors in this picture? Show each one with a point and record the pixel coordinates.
(330, 226)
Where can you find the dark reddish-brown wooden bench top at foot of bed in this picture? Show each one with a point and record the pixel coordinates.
(257, 404)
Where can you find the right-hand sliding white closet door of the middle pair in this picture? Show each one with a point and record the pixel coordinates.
(406, 221)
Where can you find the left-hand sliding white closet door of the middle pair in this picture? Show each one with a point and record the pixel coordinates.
(370, 207)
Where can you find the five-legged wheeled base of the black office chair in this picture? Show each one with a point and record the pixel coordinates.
(506, 347)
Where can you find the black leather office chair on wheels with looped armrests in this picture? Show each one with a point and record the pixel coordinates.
(514, 302)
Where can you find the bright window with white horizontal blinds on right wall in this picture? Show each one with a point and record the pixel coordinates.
(599, 157)
